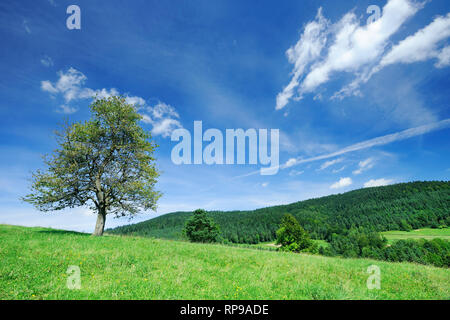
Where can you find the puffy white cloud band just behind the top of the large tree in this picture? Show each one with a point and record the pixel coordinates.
(71, 86)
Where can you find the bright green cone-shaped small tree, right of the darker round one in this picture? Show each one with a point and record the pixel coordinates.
(291, 236)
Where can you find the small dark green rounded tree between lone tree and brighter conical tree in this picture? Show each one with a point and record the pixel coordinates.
(201, 228)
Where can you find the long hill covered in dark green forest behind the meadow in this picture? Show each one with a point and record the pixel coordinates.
(396, 207)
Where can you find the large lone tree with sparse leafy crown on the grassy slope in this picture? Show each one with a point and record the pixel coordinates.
(105, 163)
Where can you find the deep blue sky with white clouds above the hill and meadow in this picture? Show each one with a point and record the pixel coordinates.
(356, 104)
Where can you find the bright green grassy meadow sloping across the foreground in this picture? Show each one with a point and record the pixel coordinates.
(34, 263)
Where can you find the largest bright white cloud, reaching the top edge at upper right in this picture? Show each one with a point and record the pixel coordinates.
(353, 48)
